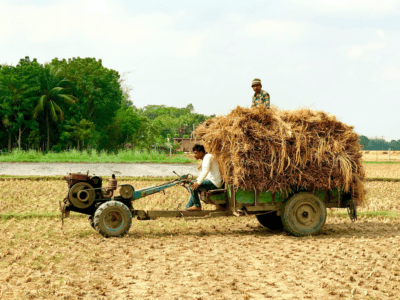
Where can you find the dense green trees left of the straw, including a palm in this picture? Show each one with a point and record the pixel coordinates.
(78, 103)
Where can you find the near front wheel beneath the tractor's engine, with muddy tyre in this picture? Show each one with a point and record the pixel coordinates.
(112, 219)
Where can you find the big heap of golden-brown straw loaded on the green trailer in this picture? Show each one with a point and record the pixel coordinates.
(285, 151)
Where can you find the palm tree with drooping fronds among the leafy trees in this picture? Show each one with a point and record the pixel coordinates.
(53, 94)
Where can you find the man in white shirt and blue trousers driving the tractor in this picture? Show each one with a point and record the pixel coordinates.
(209, 179)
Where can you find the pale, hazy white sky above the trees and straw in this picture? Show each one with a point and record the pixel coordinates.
(338, 56)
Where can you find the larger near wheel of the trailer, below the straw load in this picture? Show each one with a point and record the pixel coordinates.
(304, 214)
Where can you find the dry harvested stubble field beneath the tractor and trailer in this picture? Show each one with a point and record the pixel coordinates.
(223, 258)
